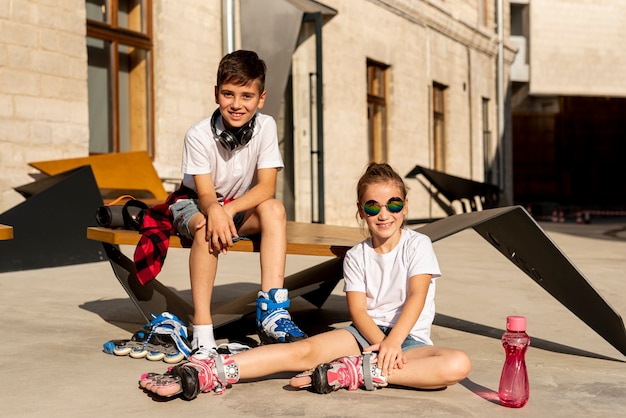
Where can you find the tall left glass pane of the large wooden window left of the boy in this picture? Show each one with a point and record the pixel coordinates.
(99, 80)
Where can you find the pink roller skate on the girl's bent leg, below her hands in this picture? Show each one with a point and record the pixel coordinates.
(349, 372)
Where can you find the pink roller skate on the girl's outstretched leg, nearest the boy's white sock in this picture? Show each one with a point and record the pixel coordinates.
(191, 378)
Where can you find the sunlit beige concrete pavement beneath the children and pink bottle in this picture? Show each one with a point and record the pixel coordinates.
(56, 319)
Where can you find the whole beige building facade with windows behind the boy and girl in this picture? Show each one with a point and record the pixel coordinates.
(349, 81)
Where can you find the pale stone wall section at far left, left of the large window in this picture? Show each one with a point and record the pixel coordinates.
(43, 88)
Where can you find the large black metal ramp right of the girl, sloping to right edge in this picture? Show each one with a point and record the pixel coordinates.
(513, 232)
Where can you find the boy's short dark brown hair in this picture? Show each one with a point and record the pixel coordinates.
(242, 68)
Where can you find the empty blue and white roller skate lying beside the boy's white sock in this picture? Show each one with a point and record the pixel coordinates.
(163, 338)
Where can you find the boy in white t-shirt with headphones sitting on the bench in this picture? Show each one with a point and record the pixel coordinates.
(230, 164)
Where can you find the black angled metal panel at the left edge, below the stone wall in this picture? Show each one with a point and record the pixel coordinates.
(49, 226)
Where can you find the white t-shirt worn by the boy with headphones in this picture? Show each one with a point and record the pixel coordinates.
(233, 172)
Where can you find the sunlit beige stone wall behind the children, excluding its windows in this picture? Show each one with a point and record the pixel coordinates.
(44, 102)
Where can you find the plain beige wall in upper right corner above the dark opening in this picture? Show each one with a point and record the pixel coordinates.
(577, 48)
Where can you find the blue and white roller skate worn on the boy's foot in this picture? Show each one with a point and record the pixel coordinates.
(274, 324)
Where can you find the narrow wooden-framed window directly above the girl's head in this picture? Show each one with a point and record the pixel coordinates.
(377, 111)
